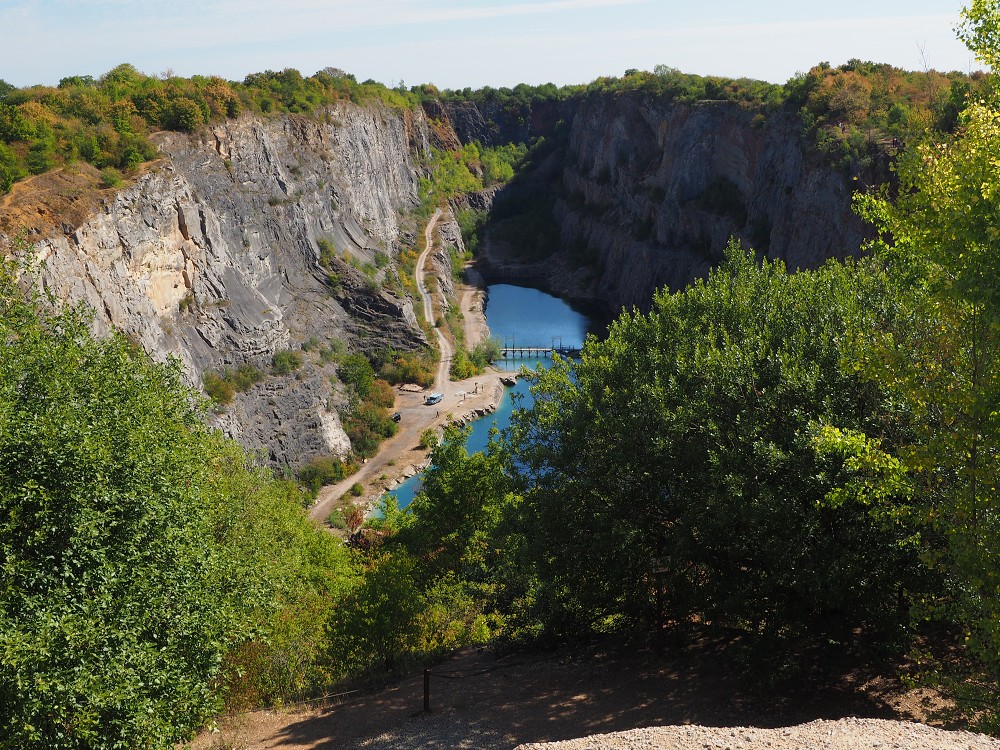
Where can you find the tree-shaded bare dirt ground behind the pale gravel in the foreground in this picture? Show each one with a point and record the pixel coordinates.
(612, 687)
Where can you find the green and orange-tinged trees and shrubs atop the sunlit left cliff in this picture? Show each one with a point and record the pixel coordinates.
(107, 121)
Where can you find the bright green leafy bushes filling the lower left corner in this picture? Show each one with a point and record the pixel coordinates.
(138, 547)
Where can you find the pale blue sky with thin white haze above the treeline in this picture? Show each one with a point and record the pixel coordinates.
(458, 43)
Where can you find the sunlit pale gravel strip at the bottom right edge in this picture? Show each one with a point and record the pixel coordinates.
(843, 734)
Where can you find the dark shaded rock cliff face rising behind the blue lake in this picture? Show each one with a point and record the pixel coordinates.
(648, 195)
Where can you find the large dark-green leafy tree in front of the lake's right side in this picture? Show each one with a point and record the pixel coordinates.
(683, 444)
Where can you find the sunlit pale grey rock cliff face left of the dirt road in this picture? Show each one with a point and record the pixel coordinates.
(213, 256)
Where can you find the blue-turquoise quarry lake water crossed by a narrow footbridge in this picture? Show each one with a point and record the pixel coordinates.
(518, 317)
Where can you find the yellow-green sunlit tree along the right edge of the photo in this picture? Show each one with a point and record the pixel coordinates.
(946, 366)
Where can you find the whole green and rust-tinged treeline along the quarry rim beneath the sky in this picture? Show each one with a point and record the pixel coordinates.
(107, 121)
